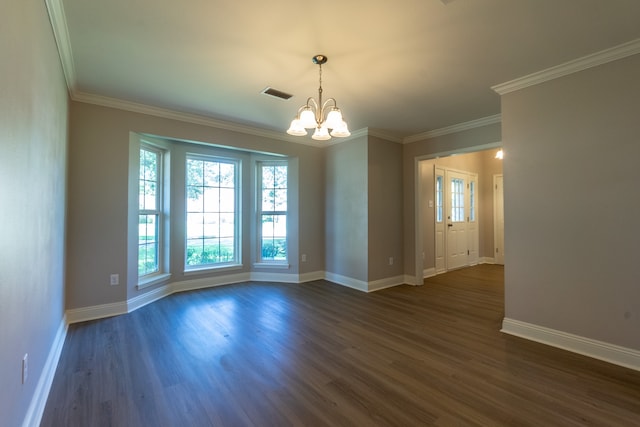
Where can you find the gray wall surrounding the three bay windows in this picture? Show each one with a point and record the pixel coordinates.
(98, 198)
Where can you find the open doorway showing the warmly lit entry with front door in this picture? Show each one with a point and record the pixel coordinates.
(470, 212)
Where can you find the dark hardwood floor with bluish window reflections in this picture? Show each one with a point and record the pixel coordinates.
(318, 354)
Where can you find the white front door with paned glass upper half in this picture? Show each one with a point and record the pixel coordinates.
(457, 251)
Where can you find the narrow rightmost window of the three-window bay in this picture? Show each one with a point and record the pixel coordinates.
(272, 211)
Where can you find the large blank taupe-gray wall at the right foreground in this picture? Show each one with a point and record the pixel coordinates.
(572, 147)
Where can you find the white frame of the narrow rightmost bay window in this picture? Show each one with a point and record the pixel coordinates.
(260, 213)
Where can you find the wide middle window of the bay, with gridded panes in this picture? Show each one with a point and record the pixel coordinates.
(212, 193)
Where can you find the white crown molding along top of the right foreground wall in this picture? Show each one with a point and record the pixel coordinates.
(599, 58)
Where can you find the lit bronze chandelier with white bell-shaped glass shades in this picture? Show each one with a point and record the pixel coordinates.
(325, 117)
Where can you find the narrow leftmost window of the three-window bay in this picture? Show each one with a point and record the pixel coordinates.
(149, 210)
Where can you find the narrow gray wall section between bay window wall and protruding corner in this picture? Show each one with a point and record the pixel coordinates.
(346, 209)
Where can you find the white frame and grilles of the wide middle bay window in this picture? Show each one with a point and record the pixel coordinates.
(237, 214)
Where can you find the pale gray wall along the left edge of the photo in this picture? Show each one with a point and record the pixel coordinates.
(33, 137)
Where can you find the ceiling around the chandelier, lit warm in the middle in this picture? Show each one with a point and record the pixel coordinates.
(403, 67)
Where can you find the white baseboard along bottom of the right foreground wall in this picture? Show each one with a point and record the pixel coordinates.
(611, 353)
